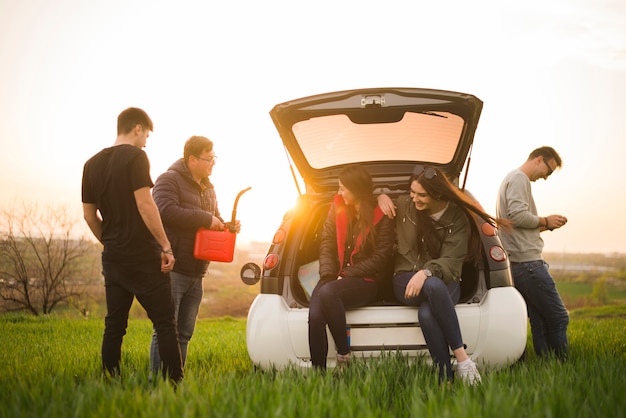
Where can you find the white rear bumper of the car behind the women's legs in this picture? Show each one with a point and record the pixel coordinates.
(494, 330)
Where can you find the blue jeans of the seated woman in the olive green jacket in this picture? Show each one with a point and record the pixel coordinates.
(436, 315)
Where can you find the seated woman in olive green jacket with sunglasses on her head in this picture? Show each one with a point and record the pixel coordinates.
(436, 234)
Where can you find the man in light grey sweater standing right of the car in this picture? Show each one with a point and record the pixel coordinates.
(548, 317)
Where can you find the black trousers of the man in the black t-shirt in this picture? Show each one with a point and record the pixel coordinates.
(152, 288)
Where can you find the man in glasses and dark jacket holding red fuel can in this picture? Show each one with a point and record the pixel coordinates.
(186, 200)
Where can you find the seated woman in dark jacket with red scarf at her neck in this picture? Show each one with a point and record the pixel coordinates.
(356, 246)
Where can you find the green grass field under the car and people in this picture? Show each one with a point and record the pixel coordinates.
(50, 367)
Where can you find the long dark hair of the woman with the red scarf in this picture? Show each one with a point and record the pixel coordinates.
(359, 182)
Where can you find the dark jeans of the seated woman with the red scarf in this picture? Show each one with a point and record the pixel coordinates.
(328, 305)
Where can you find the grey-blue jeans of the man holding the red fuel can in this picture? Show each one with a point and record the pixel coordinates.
(187, 292)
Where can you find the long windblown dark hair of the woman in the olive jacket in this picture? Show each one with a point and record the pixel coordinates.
(439, 187)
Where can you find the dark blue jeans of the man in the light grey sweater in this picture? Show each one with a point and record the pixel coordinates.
(548, 317)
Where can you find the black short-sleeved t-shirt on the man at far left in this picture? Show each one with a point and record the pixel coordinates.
(110, 179)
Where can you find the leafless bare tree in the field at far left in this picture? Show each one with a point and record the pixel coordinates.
(42, 264)
